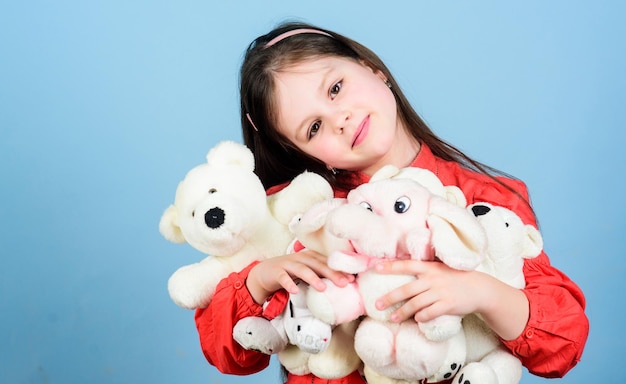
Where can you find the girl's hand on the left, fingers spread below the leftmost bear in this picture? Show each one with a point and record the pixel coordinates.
(275, 273)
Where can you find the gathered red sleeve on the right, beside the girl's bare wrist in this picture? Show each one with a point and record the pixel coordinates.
(554, 337)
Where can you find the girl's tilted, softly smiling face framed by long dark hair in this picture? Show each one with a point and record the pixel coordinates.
(343, 113)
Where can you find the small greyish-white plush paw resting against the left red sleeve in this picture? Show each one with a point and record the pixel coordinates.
(258, 334)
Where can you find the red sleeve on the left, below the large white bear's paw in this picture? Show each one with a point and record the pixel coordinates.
(231, 302)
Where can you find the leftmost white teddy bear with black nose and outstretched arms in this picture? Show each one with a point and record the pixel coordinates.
(222, 210)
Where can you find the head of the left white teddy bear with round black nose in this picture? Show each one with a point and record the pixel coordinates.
(218, 203)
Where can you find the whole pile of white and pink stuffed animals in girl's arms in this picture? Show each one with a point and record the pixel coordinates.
(221, 209)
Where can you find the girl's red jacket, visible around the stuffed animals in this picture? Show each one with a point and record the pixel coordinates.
(550, 345)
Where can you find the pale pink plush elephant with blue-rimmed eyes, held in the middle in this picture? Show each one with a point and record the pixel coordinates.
(395, 217)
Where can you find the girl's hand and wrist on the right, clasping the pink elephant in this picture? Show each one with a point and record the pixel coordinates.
(441, 290)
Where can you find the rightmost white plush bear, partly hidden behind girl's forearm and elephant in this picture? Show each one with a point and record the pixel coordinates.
(509, 242)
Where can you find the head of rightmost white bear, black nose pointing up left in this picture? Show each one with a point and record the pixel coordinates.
(509, 241)
